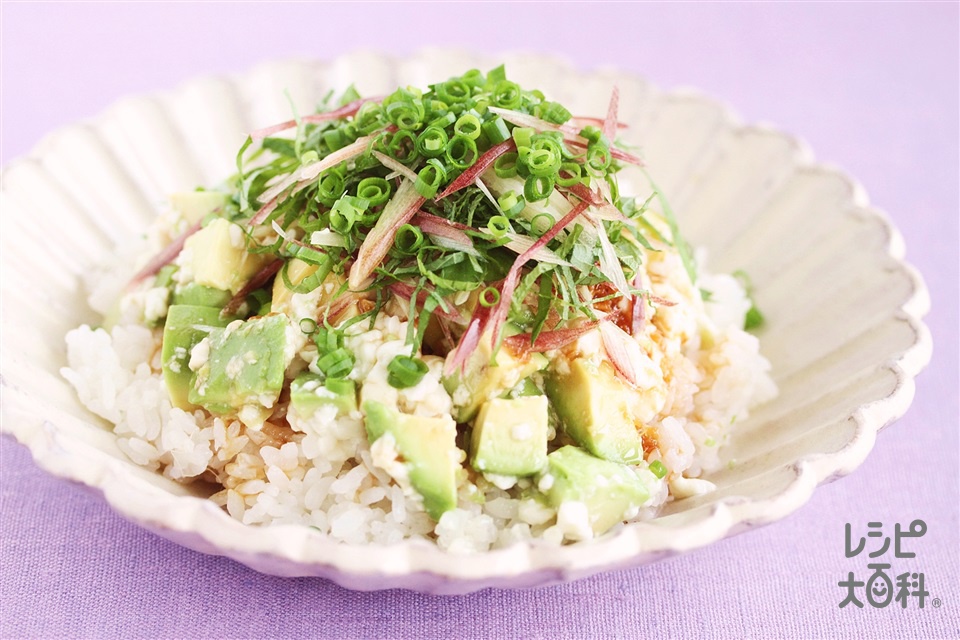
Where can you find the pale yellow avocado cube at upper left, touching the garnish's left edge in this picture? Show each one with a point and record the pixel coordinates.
(219, 258)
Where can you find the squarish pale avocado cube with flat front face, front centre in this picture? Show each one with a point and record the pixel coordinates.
(510, 436)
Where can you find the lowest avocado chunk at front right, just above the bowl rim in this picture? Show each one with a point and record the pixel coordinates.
(610, 491)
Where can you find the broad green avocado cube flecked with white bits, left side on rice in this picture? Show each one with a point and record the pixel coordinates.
(244, 366)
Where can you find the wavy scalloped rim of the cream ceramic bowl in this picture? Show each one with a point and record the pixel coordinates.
(288, 550)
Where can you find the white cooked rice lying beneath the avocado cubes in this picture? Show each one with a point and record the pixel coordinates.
(322, 472)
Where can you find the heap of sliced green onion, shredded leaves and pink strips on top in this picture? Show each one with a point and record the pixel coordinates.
(497, 165)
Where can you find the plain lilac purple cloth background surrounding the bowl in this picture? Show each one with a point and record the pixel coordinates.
(872, 88)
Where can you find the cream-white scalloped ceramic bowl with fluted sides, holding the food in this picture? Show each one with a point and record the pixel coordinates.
(844, 331)
